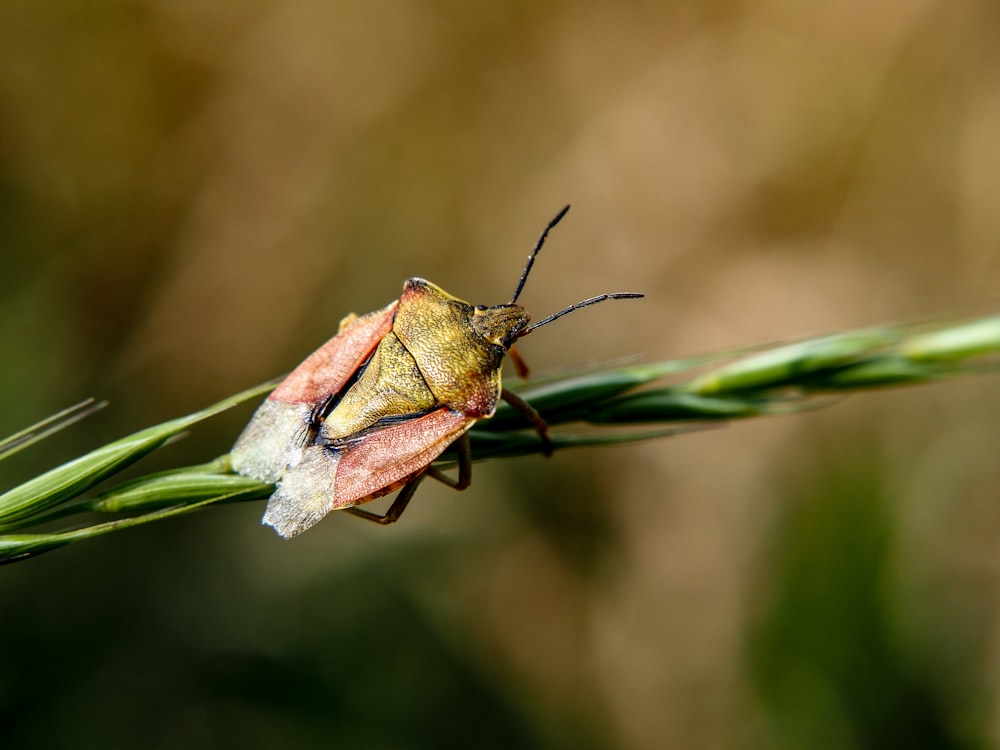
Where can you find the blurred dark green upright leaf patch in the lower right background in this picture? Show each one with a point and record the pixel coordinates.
(829, 664)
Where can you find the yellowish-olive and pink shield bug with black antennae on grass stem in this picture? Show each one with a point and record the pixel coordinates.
(367, 412)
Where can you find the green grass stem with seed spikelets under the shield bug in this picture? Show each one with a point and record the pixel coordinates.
(604, 406)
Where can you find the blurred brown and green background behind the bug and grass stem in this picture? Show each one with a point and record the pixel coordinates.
(193, 194)
